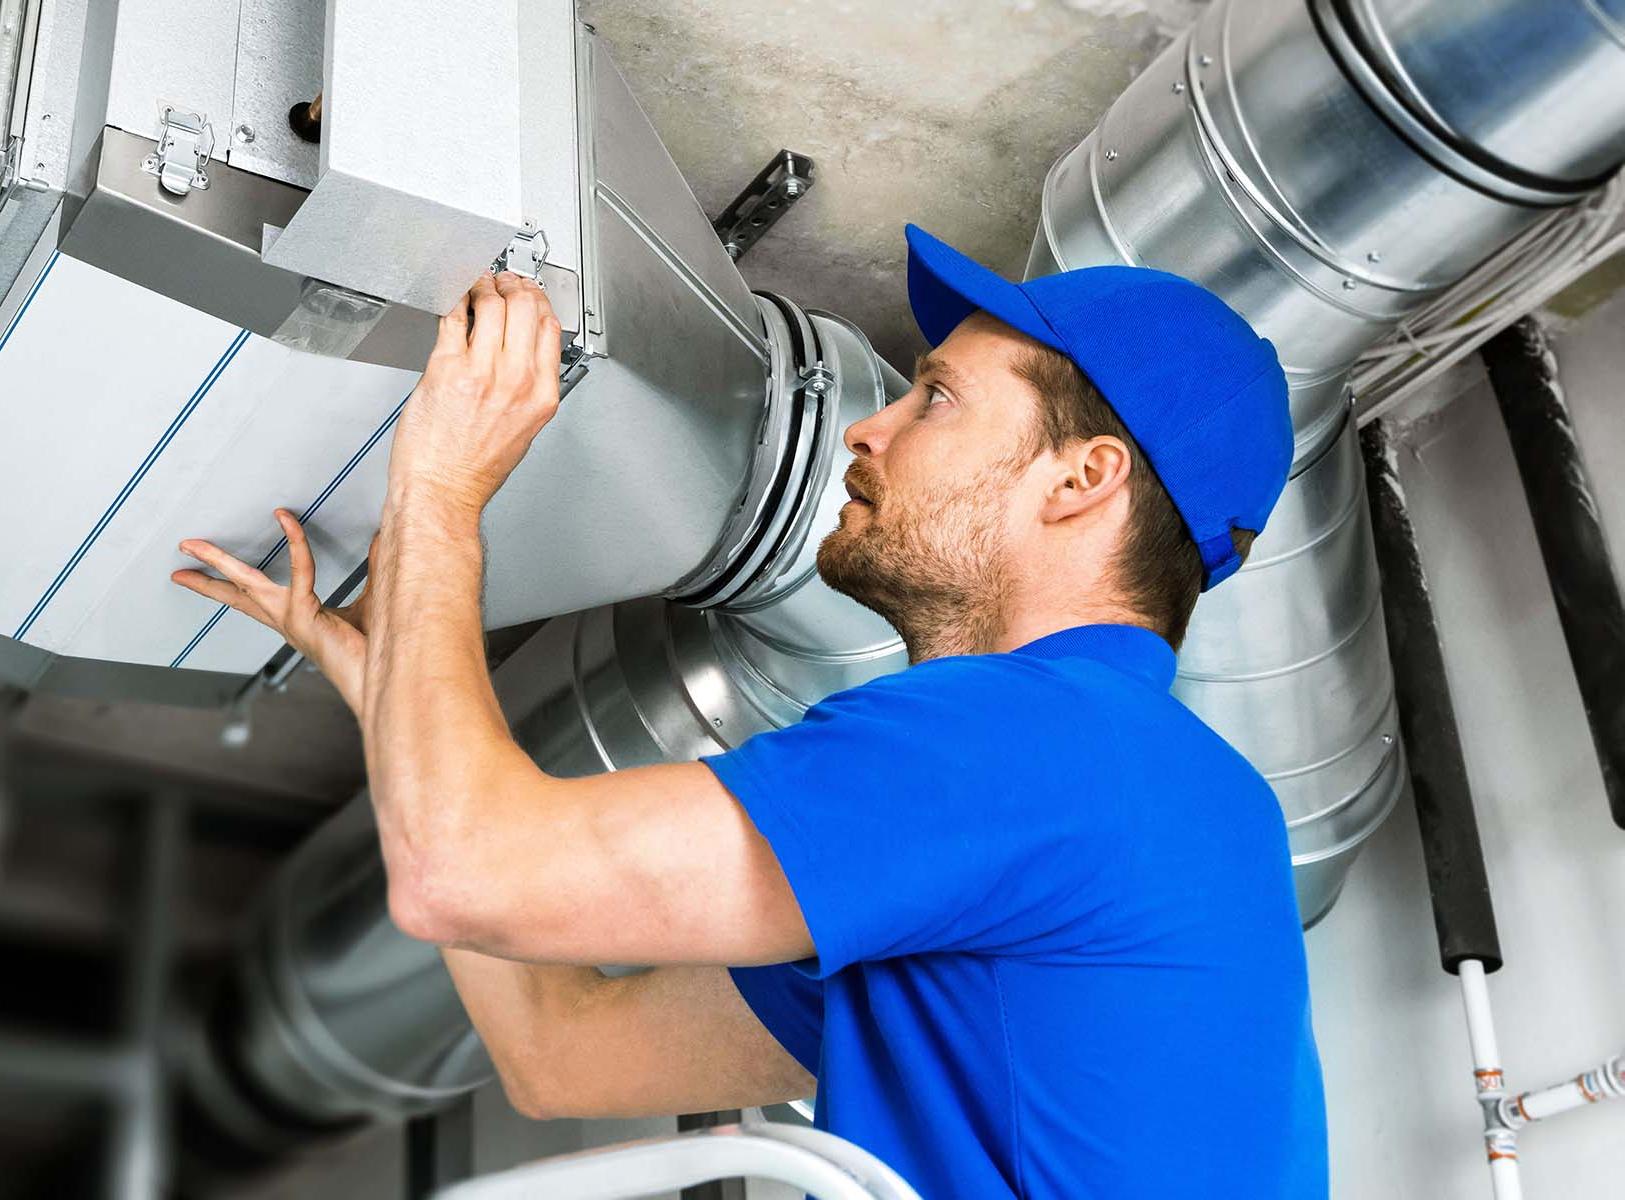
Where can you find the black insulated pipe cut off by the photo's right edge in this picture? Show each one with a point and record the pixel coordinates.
(1569, 528)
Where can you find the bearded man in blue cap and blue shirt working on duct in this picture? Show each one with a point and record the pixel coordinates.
(1025, 921)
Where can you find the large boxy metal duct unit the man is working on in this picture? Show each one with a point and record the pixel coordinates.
(685, 453)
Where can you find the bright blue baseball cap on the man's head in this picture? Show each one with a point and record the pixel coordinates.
(1197, 388)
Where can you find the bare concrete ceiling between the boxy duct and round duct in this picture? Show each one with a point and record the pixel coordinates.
(945, 113)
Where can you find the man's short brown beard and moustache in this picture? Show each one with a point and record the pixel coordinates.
(937, 570)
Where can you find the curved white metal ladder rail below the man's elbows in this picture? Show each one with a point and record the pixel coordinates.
(825, 1167)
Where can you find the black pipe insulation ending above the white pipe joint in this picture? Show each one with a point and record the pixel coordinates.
(1463, 913)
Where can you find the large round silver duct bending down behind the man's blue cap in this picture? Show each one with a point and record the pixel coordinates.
(1254, 159)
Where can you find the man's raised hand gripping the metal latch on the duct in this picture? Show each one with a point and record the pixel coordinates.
(492, 385)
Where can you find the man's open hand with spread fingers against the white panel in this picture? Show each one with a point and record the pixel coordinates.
(332, 638)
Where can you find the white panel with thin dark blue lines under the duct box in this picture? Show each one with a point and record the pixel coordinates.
(132, 422)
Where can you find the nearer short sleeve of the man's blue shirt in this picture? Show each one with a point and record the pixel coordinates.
(932, 812)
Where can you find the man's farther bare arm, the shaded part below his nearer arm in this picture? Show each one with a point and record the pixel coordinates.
(571, 1043)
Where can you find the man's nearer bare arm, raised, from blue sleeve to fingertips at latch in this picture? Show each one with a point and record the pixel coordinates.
(483, 850)
